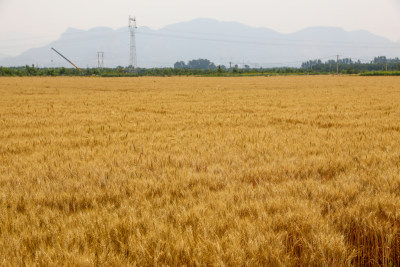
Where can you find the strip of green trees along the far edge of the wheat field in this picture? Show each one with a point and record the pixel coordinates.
(204, 67)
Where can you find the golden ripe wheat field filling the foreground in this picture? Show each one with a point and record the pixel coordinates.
(272, 171)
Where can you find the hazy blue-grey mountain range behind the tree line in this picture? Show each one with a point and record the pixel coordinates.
(220, 42)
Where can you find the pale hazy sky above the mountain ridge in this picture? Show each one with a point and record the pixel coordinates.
(27, 23)
